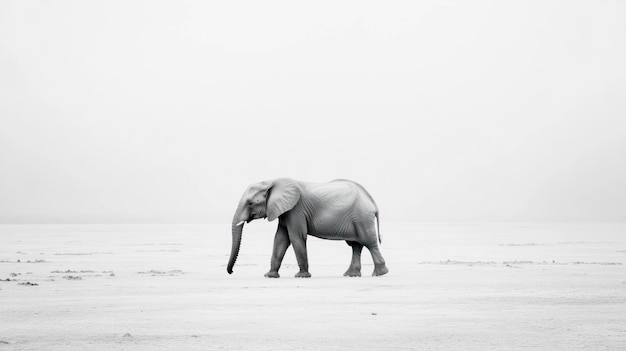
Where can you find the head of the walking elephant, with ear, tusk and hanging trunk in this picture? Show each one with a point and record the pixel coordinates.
(267, 199)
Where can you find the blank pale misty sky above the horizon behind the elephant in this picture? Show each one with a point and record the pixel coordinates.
(154, 111)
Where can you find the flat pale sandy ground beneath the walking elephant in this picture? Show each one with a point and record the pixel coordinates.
(450, 287)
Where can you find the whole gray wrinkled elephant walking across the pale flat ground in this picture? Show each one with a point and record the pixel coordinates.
(337, 210)
